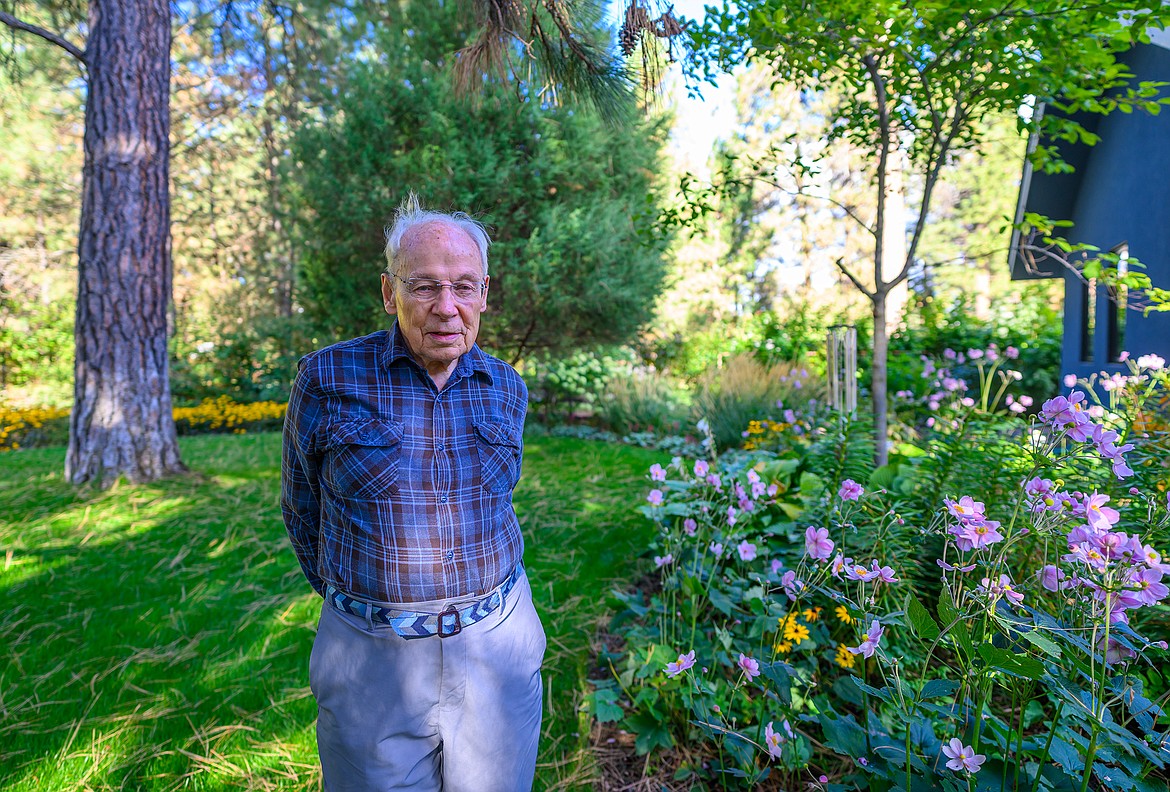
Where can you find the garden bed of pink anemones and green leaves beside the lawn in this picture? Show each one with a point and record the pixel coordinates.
(953, 596)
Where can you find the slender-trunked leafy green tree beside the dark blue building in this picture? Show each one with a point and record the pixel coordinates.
(918, 81)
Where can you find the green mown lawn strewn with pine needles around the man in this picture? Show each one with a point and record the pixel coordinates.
(157, 637)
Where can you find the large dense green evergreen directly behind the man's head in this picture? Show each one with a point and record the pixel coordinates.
(558, 188)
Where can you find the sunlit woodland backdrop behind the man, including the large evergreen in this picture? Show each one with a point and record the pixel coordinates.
(298, 128)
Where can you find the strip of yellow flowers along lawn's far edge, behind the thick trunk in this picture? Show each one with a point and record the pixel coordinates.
(43, 426)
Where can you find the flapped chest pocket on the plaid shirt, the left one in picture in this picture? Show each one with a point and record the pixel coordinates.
(363, 458)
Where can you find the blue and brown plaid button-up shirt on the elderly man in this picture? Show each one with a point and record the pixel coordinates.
(396, 492)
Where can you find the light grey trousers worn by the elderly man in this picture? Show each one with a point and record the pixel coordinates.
(459, 714)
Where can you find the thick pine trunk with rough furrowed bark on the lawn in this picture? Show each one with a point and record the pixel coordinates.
(122, 422)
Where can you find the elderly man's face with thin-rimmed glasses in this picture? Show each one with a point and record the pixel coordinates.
(438, 332)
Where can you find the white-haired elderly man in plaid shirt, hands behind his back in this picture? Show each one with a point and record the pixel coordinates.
(402, 451)
